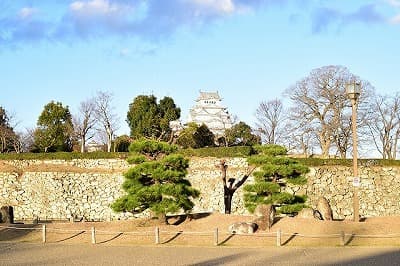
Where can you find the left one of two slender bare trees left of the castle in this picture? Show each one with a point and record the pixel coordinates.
(85, 121)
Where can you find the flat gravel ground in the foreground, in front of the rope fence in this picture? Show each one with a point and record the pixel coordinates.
(61, 254)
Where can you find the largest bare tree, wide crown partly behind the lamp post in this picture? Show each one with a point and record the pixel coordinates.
(320, 101)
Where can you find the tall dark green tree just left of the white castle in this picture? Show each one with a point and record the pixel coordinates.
(147, 118)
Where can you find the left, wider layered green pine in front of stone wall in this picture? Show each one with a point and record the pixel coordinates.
(157, 182)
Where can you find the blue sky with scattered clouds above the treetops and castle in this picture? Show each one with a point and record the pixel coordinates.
(249, 51)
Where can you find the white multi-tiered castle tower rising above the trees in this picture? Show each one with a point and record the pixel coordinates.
(208, 110)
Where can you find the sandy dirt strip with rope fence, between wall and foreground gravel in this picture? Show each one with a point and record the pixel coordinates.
(200, 230)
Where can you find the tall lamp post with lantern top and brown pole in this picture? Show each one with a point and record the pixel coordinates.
(353, 91)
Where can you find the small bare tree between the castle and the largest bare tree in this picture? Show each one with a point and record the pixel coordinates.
(270, 118)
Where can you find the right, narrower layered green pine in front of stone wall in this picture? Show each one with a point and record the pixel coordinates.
(276, 171)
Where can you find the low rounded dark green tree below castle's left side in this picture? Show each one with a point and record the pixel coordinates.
(194, 136)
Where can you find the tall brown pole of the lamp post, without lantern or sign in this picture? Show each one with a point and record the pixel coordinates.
(356, 204)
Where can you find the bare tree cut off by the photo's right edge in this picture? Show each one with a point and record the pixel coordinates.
(384, 124)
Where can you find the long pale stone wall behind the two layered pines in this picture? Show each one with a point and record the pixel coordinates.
(89, 192)
